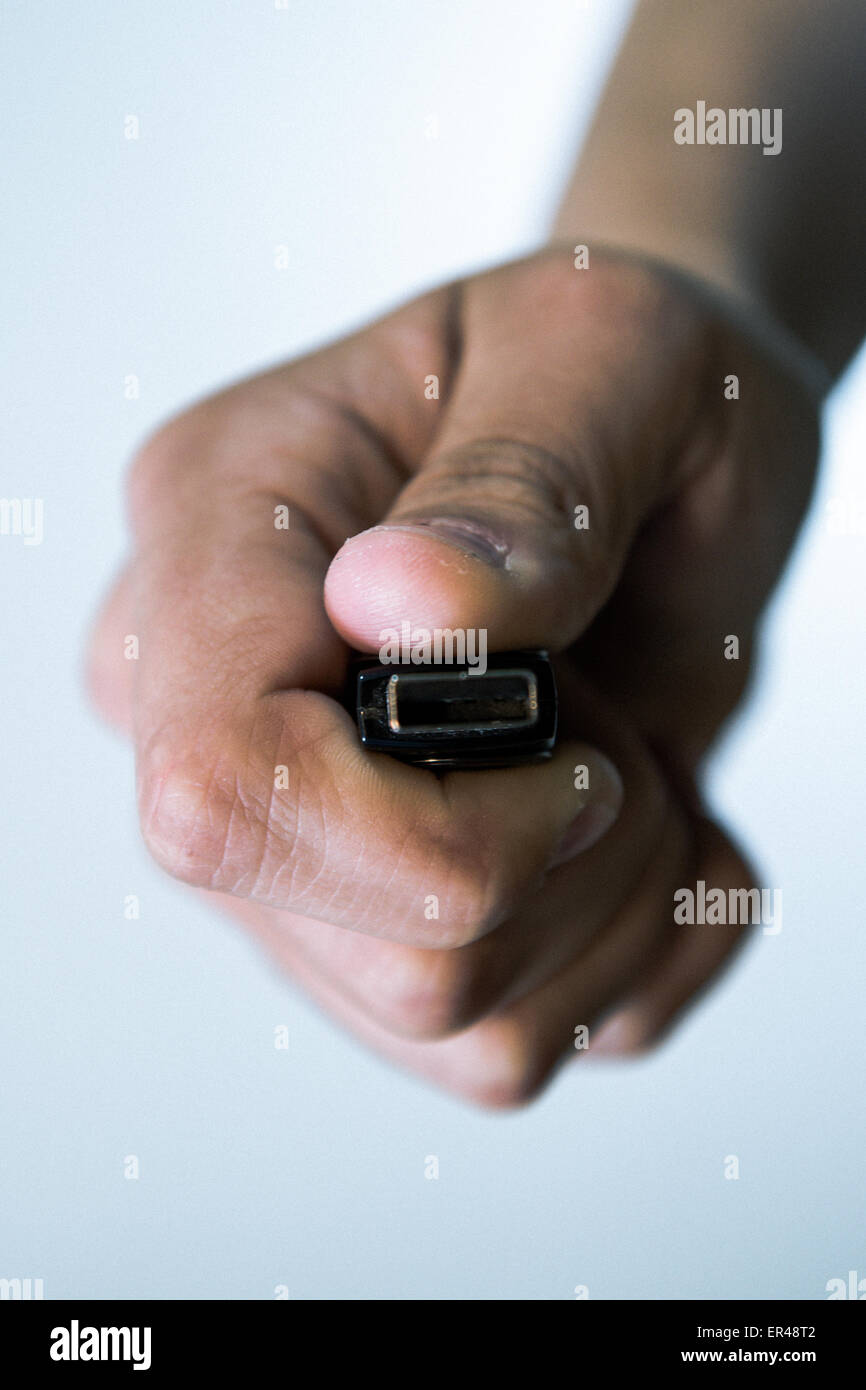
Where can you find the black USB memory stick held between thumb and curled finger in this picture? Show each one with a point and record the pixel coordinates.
(455, 717)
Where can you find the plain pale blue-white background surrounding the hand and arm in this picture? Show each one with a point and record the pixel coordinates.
(309, 129)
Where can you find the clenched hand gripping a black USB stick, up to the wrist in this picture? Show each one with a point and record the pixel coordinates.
(557, 390)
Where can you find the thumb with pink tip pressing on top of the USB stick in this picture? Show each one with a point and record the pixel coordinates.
(555, 445)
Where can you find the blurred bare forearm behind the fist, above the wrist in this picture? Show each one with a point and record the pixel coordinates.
(782, 230)
